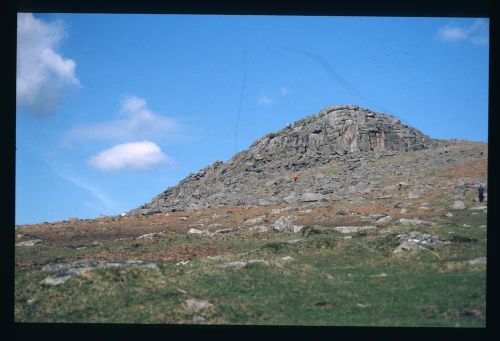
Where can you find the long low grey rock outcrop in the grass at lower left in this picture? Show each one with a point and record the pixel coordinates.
(65, 271)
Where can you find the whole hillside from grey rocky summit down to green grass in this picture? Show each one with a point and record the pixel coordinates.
(381, 227)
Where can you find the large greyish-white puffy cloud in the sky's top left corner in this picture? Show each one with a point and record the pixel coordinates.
(42, 74)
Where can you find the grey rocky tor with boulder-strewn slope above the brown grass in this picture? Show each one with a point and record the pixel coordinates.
(333, 155)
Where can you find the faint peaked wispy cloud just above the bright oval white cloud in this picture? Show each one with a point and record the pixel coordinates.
(138, 123)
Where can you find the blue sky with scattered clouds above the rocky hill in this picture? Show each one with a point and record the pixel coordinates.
(113, 109)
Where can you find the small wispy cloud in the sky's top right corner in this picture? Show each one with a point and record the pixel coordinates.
(476, 33)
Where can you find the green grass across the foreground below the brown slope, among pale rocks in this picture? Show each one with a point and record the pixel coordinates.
(329, 281)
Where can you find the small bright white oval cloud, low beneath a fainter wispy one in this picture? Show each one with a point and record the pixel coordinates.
(136, 155)
